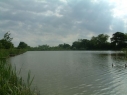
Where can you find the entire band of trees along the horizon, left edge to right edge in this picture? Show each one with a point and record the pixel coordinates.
(100, 42)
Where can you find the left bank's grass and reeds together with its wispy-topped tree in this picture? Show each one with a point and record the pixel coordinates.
(10, 81)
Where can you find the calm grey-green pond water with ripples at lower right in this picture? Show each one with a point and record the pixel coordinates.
(75, 72)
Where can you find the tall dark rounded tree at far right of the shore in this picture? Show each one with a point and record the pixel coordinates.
(118, 40)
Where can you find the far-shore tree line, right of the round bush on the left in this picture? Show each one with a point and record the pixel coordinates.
(100, 42)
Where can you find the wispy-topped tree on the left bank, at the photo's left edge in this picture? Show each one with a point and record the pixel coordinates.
(6, 43)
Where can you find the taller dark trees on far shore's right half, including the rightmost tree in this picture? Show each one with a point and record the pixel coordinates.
(100, 42)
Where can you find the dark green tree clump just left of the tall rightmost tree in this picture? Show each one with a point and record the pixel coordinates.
(96, 43)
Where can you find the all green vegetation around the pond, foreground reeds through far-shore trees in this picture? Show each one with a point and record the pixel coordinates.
(12, 84)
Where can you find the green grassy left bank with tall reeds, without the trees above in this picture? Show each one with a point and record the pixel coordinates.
(10, 82)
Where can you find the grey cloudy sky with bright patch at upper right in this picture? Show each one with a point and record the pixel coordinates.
(54, 22)
